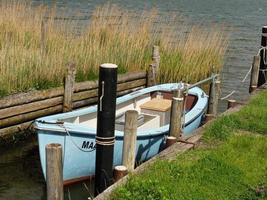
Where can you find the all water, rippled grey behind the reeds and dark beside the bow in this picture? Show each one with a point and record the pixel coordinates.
(20, 172)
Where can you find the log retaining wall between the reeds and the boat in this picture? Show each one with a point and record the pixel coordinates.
(18, 111)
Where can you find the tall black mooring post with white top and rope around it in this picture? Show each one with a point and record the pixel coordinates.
(105, 137)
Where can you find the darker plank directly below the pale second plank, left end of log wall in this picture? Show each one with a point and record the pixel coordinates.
(29, 116)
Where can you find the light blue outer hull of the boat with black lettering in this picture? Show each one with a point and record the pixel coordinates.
(79, 146)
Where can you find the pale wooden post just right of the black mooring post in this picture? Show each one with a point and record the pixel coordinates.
(129, 141)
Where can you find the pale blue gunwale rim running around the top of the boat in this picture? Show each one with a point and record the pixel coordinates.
(79, 129)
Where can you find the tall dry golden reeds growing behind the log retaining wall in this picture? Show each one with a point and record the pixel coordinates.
(34, 59)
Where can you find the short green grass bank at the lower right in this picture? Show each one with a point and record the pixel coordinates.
(230, 163)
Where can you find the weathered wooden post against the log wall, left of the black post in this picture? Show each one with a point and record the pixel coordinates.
(69, 87)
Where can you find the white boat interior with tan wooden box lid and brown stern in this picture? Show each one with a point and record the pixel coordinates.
(154, 111)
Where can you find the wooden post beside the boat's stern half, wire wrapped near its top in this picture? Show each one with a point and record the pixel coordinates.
(176, 115)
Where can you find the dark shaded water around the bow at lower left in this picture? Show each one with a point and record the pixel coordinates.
(21, 175)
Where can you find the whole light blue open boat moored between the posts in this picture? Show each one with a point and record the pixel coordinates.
(76, 130)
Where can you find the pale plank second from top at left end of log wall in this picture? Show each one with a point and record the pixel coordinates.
(26, 108)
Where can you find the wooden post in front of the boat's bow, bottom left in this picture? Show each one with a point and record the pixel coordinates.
(54, 172)
